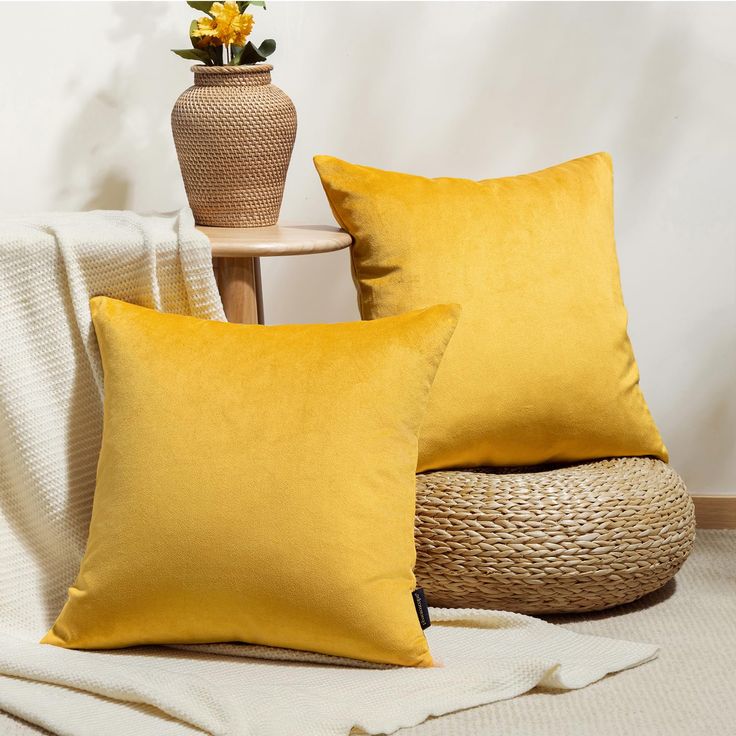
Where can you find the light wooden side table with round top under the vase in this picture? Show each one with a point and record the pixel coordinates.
(235, 254)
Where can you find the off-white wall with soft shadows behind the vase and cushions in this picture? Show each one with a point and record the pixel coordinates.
(474, 90)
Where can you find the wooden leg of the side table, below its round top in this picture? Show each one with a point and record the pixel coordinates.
(239, 283)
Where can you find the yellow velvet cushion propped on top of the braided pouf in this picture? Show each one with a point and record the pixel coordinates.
(540, 368)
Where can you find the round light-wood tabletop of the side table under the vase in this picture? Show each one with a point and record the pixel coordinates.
(276, 240)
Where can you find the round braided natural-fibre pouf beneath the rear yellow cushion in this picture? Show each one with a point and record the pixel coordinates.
(576, 538)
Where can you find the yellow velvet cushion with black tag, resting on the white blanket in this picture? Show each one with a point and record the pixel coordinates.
(256, 484)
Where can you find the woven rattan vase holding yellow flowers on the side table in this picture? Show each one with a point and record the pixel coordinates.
(234, 132)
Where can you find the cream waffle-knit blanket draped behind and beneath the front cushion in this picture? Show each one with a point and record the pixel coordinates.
(50, 423)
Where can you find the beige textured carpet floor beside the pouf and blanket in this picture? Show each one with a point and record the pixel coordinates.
(690, 690)
